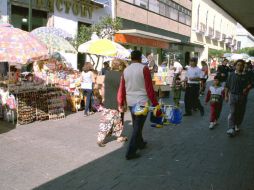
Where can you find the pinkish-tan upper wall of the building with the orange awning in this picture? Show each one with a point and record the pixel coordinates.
(144, 16)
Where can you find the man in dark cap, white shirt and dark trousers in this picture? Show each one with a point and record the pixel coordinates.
(191, 98)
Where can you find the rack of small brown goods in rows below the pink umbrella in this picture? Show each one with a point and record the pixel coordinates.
(39, 105)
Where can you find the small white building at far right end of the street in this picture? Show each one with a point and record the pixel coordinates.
(244, 38)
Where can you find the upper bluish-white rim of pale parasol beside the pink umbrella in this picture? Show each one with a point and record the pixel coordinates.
(51, 30)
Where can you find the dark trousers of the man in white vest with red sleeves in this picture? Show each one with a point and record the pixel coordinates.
(136, 137)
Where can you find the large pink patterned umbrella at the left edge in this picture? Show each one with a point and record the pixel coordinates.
(18, 46)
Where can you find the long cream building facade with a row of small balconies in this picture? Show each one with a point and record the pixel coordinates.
(212, 28)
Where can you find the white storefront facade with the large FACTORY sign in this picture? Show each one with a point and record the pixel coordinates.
(68, 15)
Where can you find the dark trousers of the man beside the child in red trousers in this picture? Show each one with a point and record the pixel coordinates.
(237, 105)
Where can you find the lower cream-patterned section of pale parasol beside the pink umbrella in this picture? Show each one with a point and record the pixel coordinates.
(55, 43)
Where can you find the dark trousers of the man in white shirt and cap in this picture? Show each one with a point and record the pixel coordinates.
(191, 98)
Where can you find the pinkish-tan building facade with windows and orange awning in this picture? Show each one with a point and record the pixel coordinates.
(162, 27)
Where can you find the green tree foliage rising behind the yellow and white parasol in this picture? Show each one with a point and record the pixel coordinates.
(106, 28)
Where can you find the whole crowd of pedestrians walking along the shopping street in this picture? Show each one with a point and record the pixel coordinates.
(125, 86)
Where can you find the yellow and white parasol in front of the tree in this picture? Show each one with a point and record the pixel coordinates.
(104, 47)
